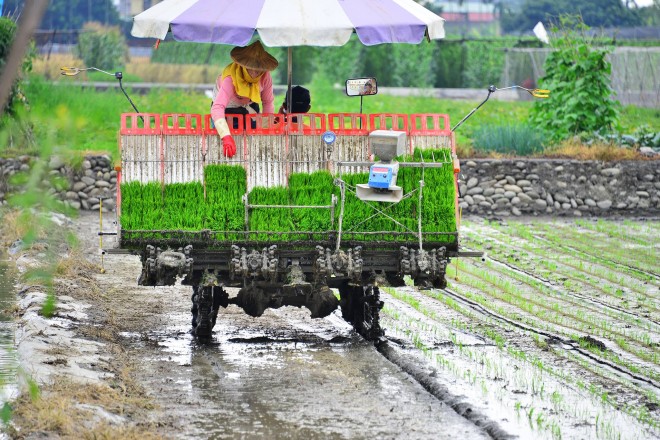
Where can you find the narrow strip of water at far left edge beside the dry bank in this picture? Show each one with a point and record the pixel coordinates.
(8, 361)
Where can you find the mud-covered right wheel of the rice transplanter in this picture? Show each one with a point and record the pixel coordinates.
(360, 306)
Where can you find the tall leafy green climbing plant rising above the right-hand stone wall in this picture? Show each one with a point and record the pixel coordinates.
(578, 75)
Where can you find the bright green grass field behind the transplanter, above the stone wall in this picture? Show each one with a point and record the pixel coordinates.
(94, 116)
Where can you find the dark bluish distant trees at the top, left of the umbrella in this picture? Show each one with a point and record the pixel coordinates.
(70, 14)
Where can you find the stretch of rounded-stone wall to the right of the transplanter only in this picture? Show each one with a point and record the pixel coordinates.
(559, 187)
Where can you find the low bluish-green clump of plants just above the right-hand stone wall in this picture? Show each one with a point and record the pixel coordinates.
(516, 139)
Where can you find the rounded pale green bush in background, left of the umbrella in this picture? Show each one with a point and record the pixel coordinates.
(103, 47)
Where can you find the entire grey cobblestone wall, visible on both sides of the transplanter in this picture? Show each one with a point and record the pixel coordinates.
(488, 187)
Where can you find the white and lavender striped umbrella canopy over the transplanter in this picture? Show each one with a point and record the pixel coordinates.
(290, 22)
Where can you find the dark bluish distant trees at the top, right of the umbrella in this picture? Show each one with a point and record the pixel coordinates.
(595, 13)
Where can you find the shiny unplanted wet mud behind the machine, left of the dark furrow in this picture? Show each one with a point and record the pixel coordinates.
(286, 376)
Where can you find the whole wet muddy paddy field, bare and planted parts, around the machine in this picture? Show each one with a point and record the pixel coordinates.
(554, 335)
